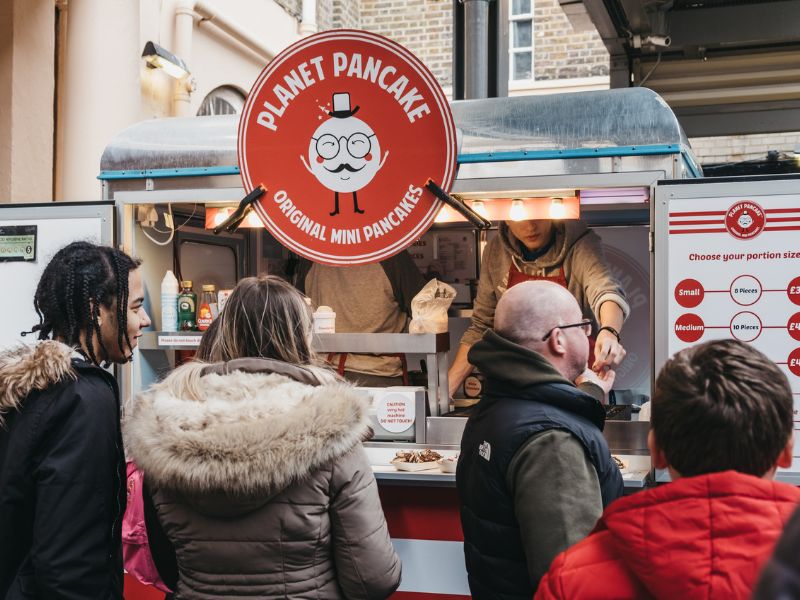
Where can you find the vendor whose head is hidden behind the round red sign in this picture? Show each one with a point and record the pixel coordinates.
(373, 298)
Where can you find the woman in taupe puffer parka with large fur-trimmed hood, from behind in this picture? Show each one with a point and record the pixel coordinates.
(254, 465)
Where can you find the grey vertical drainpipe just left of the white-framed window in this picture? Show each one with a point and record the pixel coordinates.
(476, 49)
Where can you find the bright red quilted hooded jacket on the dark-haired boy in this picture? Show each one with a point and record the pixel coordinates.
(698, 537)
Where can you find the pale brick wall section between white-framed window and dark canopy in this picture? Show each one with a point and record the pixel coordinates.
(561, 53)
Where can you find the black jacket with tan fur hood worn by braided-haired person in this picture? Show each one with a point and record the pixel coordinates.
(62, 477)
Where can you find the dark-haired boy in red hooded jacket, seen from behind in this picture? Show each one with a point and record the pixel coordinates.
(721, 424)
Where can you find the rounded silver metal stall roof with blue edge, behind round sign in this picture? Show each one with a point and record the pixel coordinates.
(624, 122)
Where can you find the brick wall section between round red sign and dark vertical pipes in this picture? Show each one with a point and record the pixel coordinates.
(423, 26)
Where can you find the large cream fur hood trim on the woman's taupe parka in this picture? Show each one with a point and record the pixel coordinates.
(240, 433)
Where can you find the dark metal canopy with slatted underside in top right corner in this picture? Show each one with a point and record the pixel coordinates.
(725, 66)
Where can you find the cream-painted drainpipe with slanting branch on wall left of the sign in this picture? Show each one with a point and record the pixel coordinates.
(185, 13)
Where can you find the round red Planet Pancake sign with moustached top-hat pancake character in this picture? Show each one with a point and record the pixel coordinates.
(343, 129)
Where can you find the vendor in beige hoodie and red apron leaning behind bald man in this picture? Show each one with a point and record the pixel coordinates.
(565, 252)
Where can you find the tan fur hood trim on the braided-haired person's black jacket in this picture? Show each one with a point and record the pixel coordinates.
(26, 368)
